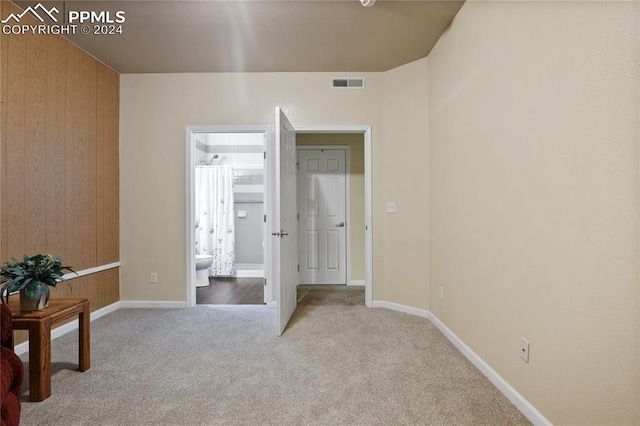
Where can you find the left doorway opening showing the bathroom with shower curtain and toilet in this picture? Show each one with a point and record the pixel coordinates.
(227, 197)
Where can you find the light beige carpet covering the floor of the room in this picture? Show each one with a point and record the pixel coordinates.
(223, 365)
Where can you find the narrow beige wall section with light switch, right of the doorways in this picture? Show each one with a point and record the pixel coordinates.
(405, 169)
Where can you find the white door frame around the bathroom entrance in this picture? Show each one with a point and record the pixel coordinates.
(190, 167)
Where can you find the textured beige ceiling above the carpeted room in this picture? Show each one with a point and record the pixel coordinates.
(266, 35)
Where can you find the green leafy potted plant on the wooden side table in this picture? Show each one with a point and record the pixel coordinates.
(32, 278)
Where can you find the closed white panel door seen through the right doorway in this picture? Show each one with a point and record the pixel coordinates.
(322, 207)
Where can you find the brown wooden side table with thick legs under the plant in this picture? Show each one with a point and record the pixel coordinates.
(39, 325)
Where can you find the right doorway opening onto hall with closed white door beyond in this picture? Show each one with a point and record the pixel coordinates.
(346, 239)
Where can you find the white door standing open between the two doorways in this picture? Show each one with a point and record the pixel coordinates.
(285, 223)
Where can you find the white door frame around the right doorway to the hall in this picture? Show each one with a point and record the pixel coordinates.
(365, 130)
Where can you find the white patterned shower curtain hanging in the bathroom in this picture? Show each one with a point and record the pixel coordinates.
(215, 226)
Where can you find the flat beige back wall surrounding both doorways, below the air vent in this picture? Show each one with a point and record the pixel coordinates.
(154, 112)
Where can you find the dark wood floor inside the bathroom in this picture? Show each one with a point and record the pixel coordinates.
(231, 291)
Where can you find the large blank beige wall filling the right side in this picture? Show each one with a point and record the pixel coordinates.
(534, 125)
